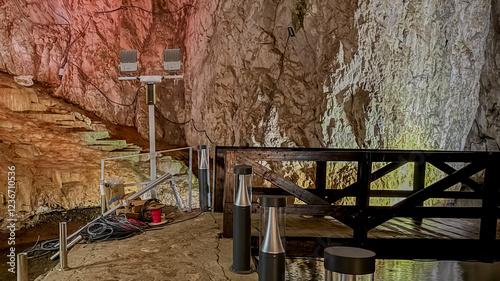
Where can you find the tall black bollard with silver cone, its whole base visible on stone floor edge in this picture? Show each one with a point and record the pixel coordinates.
(241, 220)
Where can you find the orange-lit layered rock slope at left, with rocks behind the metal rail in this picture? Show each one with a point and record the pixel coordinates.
(56, 151)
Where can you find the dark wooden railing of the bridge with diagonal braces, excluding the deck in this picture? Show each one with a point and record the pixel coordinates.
(362, 216)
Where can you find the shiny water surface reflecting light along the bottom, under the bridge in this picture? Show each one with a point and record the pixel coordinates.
(405, 270)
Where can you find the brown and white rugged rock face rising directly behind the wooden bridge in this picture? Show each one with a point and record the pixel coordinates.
(358, 74)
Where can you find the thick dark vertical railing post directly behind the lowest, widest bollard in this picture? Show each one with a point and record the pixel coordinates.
(363, 199)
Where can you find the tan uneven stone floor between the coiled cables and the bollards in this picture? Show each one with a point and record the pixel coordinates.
(189, 250)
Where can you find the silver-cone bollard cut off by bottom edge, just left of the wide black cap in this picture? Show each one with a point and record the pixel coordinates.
(272, 248)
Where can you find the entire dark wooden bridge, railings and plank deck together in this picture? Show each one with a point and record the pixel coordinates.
(405, 230)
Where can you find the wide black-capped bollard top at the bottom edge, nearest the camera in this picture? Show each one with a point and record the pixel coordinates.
(349, 264)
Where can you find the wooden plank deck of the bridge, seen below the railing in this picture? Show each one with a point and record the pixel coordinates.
(402, 238)
